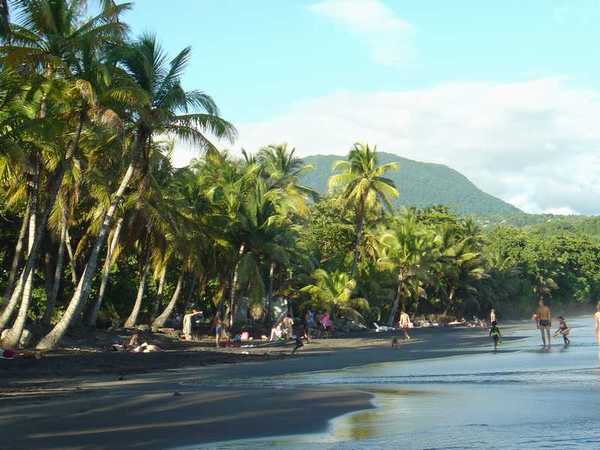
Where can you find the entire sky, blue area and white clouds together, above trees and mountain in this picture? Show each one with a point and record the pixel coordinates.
(507, 92)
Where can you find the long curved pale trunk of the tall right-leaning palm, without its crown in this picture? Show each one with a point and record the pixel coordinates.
(85, 281)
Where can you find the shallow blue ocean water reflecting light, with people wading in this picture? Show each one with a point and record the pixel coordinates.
(519, 398)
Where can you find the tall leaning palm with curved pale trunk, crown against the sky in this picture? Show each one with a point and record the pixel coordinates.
(168, 109)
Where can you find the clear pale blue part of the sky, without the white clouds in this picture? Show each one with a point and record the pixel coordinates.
(257, 57)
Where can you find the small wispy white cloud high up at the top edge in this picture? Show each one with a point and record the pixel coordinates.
(390, 39)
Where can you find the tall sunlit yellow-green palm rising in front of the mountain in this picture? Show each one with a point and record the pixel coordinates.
(363, 186)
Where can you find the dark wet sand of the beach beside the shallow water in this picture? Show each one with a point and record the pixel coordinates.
(194, 405)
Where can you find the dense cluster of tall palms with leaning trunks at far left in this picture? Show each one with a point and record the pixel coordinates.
(84, 108)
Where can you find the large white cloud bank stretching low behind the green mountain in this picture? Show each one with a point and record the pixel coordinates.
(534, 143)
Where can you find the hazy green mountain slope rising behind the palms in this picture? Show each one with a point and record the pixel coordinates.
(421, 185)
